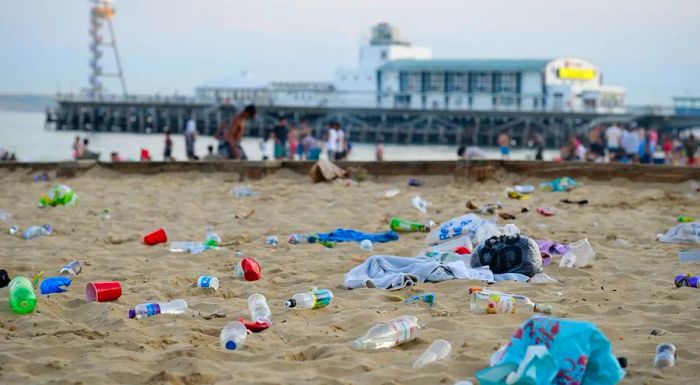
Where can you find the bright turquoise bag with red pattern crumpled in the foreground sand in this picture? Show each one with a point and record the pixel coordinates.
(554, 351)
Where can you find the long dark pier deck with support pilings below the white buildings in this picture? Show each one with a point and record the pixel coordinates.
(407, 126)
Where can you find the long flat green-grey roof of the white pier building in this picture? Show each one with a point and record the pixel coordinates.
(466, 65)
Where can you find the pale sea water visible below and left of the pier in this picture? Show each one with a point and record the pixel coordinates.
(23, 133)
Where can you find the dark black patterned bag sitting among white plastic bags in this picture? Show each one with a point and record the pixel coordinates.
(509, 254)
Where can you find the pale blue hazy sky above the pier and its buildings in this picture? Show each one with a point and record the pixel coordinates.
(650, 47)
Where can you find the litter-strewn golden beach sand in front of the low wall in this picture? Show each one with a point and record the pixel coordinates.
(628, 292)
